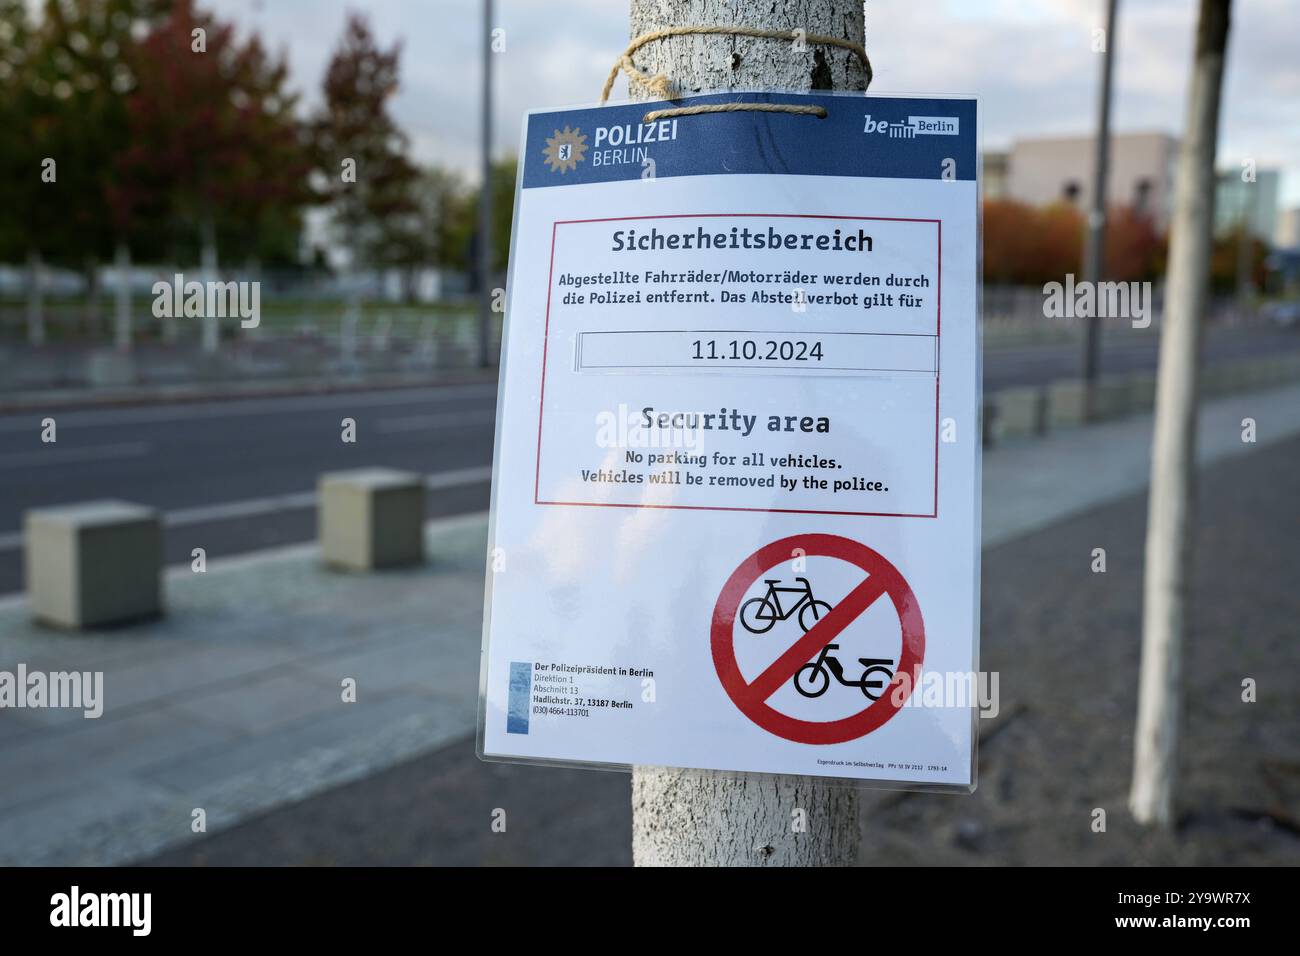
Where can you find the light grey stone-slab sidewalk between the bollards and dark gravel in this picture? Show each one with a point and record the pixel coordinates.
(233, 702)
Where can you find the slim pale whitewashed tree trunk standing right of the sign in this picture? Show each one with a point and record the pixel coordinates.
(1173, 474)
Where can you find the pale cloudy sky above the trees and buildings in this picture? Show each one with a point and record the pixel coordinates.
(1030, 62)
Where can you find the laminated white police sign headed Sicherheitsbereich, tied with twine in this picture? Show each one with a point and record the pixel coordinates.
(735, 514)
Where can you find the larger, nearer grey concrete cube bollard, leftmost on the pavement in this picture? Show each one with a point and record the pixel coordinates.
(94, 564)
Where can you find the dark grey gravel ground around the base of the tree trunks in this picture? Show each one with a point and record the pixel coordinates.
(1065, 643)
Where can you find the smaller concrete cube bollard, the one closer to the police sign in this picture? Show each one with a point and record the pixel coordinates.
(371, 518)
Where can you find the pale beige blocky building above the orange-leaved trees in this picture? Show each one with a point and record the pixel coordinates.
(1052, 170)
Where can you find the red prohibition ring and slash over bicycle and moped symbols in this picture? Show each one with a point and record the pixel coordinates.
(883, 581)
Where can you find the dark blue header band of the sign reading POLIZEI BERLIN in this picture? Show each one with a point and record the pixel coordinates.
(891, 137)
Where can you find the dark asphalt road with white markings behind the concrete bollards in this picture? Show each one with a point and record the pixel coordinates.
(222, 469)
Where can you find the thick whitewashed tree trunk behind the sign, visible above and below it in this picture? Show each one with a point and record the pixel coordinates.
(699, 817)
